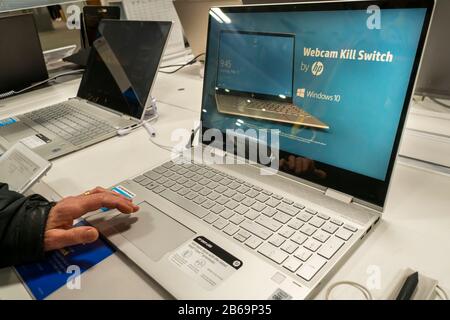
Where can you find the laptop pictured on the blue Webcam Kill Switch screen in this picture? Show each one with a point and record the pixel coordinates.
(257, 80)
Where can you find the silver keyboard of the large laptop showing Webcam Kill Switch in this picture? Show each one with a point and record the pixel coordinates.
(300, 239)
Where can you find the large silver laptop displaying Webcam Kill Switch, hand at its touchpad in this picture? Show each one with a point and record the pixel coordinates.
(235, 231)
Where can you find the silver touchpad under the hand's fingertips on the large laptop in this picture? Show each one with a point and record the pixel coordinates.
(155, 233)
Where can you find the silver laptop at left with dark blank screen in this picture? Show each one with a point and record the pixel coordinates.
(113, 94)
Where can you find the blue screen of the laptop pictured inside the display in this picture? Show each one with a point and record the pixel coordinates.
(256, 63)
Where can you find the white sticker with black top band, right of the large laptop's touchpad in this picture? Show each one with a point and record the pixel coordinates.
(206, 262)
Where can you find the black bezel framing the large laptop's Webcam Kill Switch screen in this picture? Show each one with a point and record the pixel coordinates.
(366, 189)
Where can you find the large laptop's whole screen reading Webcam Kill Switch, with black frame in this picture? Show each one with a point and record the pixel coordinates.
(354, 69)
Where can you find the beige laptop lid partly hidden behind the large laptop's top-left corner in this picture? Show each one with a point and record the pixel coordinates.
(193, 15)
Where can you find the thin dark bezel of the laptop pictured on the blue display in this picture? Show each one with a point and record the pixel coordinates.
(257, 95)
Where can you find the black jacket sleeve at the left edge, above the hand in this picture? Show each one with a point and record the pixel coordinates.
(22, 227)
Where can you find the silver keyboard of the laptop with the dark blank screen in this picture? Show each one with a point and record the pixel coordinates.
(70, 123)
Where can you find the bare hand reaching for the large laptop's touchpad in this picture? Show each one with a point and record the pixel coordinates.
(60, 233)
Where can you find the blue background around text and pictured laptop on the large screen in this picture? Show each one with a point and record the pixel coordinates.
(364, 123)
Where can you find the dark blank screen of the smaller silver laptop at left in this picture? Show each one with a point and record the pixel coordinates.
(123, 64)
